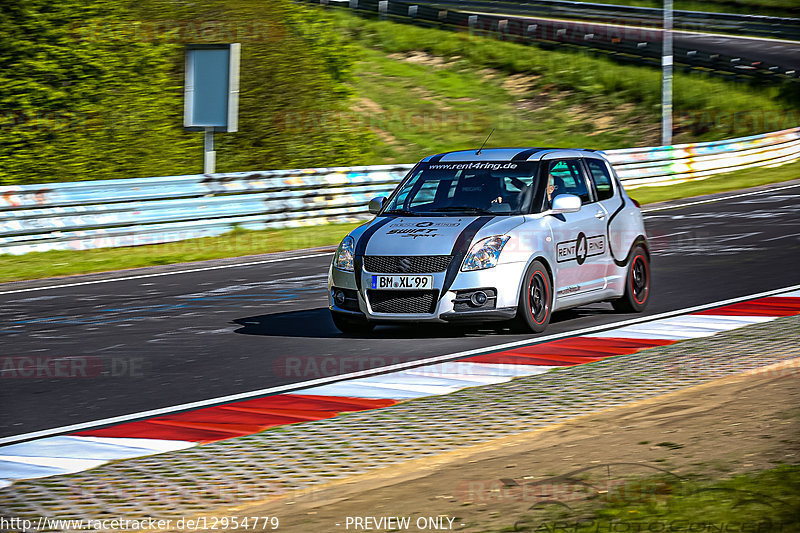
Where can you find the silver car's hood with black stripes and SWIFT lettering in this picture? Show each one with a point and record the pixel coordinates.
(428, 235)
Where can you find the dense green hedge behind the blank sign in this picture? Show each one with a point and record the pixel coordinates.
(94, 89)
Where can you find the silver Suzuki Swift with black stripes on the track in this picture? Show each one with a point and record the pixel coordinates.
(493, 235)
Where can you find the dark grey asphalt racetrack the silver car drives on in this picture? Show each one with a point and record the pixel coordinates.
(164, 340)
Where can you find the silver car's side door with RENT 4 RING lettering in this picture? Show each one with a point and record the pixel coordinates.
(581, 247)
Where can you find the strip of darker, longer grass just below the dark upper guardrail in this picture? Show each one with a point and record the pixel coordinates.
(722, 108)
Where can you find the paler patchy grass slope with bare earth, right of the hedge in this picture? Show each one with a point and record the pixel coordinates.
(418, 109)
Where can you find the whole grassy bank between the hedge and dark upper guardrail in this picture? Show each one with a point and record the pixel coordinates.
(424, 90)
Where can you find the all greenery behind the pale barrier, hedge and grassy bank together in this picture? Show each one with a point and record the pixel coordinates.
(93, 89)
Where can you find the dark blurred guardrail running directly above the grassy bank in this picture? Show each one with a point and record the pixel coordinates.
(639, 45)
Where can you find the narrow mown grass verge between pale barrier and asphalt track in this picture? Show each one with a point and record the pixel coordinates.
(241, 242)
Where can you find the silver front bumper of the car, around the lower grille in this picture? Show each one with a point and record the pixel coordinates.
(505, 279)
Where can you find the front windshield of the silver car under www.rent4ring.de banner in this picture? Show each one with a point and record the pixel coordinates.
(497, 188)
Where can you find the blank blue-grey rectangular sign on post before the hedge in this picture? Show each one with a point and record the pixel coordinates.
(211, 94)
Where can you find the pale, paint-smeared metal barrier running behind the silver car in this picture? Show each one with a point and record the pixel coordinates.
(129, 212)
